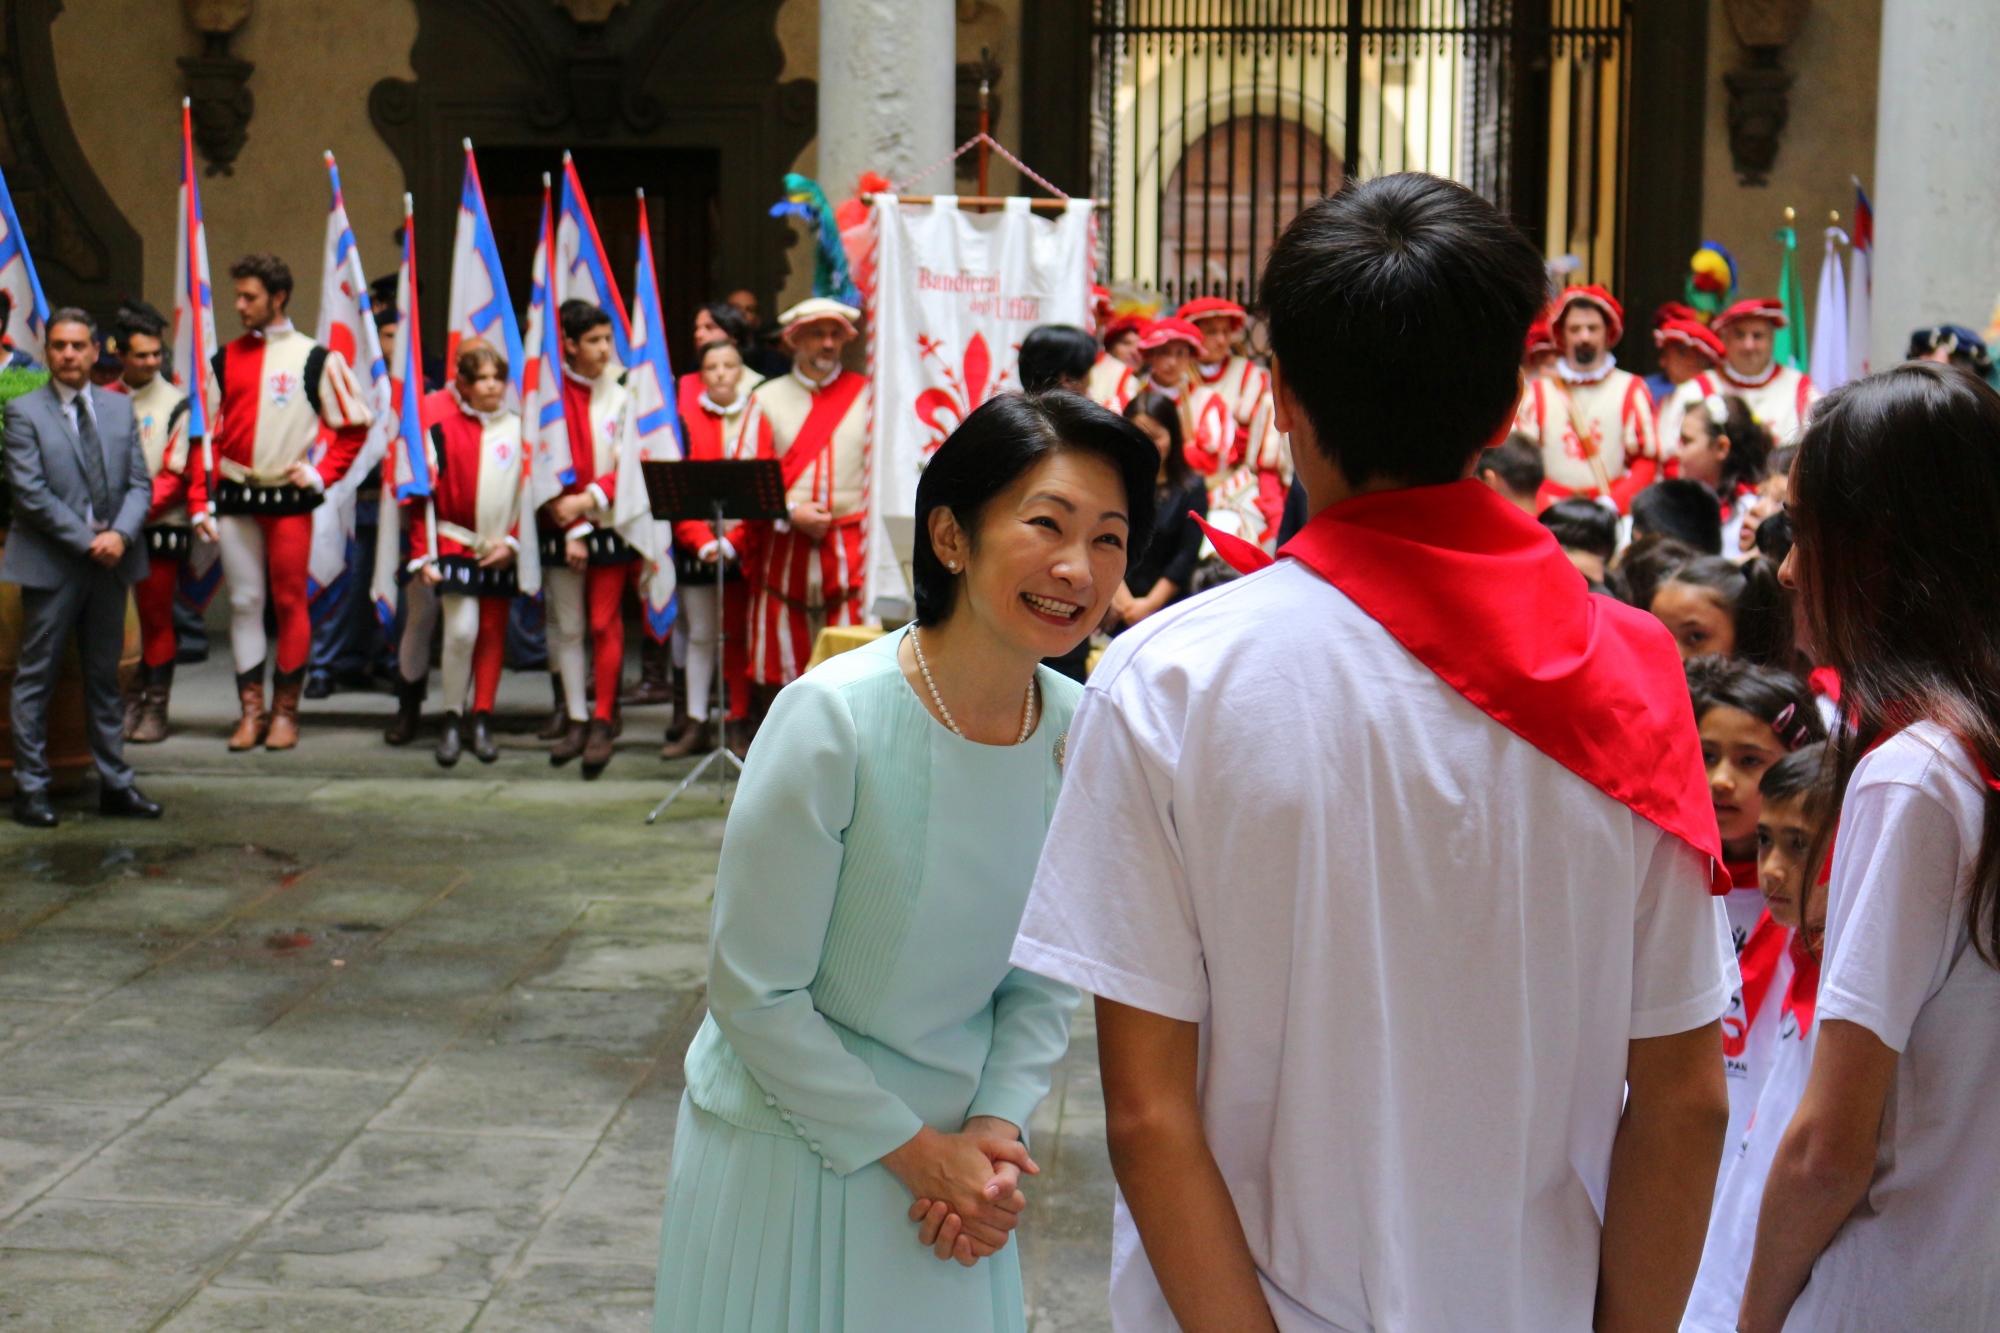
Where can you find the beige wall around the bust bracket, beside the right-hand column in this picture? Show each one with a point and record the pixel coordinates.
(1829, 139)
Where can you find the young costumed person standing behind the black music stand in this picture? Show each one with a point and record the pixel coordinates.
(713, 409)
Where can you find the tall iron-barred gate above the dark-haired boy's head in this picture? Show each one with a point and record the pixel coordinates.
(1219, 121)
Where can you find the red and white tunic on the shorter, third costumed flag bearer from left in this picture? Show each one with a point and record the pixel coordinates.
(475, 501)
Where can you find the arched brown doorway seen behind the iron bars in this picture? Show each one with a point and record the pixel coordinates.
(1229, 201)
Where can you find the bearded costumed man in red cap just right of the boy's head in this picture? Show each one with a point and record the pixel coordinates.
(1593, 419)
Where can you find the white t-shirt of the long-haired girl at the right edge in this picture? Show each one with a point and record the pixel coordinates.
(1923, 1250)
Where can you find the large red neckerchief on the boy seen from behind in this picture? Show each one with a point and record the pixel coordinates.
(1485, 597)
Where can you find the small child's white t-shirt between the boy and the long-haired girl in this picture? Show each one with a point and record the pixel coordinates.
(1719, 1288)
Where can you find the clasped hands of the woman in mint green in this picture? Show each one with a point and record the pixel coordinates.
(967, 1186)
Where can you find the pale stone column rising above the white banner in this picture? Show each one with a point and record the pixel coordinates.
(887, 91)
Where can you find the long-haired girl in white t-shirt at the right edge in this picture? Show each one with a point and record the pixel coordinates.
(1881, 1208)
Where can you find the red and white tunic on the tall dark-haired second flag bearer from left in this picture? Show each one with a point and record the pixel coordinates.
(287, 399)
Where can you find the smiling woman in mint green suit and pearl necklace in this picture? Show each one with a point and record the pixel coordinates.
(851, 1140)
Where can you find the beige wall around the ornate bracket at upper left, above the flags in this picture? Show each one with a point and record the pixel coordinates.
(317, 61)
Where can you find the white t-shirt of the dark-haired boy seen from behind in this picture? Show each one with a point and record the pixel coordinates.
(1415, 944)
